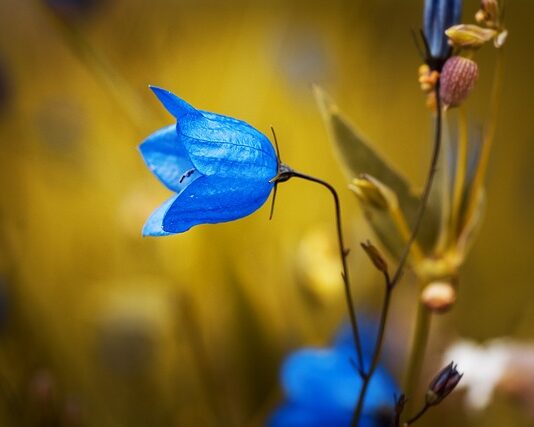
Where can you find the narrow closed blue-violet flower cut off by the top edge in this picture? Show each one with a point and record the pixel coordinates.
(438, 16)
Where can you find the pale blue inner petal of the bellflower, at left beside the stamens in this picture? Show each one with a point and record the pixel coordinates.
(167, 158)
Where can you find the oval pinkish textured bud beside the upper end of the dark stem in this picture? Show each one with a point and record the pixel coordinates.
(458, 78)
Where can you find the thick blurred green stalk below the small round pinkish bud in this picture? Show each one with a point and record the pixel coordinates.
(417, 354)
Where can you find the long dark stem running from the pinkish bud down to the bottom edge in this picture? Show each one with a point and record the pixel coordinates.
(391, 283)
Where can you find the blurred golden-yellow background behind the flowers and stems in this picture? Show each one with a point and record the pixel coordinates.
(101, 327)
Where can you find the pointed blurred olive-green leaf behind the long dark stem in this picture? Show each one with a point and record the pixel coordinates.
(357, 157)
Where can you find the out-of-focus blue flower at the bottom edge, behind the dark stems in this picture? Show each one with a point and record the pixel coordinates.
(322, 387)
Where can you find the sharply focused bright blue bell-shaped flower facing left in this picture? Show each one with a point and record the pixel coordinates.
(221, 168)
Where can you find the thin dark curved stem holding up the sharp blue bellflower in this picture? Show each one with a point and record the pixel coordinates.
(343, 255)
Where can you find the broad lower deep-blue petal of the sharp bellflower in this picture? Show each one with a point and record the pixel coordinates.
(214, 199)
